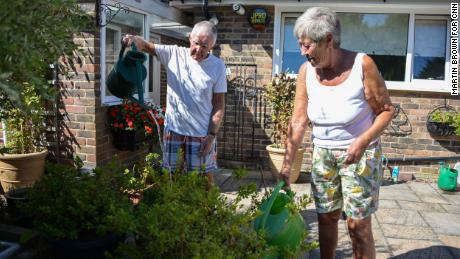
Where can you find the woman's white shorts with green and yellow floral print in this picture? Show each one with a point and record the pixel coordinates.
(353, 188)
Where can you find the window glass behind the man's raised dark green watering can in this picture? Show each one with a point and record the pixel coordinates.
(122, 23)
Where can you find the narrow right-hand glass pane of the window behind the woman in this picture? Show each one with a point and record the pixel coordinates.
(429, 49)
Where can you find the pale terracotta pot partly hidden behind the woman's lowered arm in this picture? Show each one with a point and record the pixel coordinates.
(276, 156)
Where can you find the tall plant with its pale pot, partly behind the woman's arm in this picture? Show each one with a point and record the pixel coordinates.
(280, 93)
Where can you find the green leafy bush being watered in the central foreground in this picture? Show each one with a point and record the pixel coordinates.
(178, 218)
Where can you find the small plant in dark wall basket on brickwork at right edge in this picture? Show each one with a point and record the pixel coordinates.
(444, 122)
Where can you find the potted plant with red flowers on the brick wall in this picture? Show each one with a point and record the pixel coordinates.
(131, 124)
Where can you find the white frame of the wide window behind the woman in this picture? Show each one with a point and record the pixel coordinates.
(429, 10)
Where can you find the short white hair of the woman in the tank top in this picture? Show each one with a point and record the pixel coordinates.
(316, 23)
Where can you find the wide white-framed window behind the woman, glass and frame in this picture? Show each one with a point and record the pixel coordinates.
(410, 50)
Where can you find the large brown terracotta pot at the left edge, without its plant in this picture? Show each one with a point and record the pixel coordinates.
(21, 170)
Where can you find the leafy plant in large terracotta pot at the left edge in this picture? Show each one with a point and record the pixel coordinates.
(22, 158)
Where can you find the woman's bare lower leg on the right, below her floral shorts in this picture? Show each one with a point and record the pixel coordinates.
(361, 237)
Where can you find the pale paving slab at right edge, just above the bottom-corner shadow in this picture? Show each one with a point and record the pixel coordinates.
(443, 223)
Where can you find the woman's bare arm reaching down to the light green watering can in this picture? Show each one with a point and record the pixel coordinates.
(297, 125)
